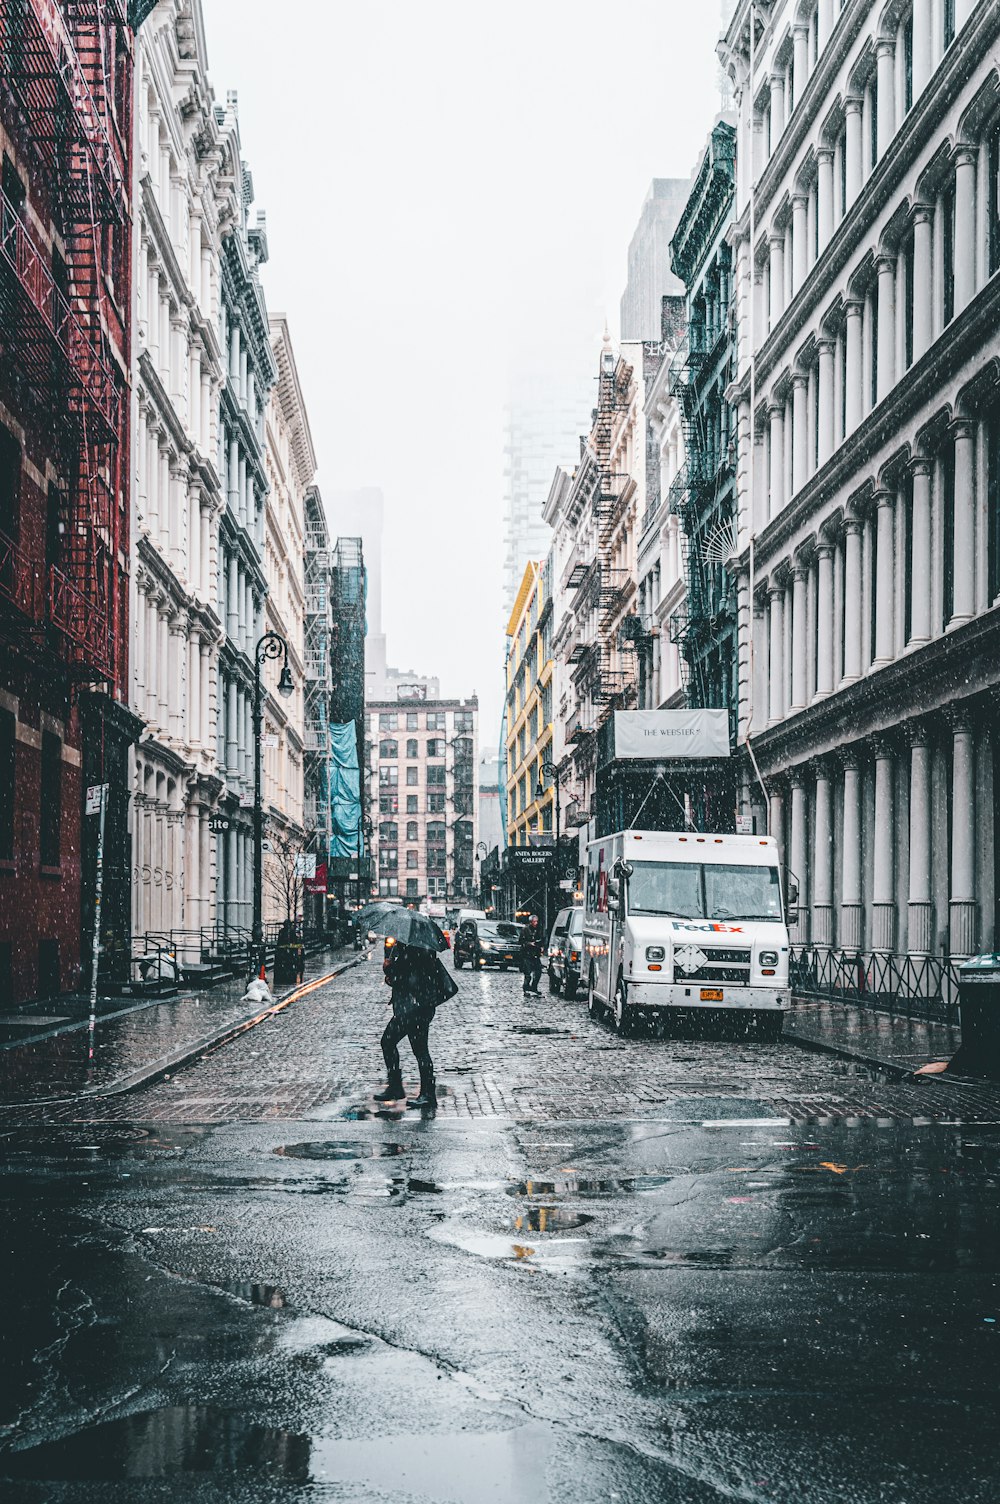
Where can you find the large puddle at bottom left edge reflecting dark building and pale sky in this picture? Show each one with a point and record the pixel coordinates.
(506, 1467)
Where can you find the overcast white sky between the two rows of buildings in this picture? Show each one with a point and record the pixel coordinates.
(450, 187)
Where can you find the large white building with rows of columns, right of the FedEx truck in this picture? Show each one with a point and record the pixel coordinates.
(868, 398)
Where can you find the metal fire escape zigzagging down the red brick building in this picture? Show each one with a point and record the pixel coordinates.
(64, 336)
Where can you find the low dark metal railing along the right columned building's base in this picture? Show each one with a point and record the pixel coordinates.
(905, 986)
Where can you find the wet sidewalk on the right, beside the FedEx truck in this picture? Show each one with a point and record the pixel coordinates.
(892, 1043)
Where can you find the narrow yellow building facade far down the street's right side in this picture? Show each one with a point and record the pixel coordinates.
(530, 708)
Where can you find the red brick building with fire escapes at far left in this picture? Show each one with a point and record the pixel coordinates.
(65, 336)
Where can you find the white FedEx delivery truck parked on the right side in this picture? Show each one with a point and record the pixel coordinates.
(686, 921)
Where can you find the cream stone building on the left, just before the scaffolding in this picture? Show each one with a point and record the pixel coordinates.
(291, 468)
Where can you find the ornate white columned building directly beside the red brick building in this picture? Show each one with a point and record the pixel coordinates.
(184, 196)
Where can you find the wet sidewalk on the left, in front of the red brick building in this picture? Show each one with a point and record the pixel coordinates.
(133, 1045)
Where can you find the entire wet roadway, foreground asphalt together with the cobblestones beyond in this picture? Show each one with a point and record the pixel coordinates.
(607, 1270)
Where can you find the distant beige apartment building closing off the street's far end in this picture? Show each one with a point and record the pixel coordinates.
(425, 796)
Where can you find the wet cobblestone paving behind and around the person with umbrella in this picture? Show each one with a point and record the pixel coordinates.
(503, 1055)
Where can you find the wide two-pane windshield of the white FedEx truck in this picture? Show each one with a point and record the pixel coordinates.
(705, 891)
